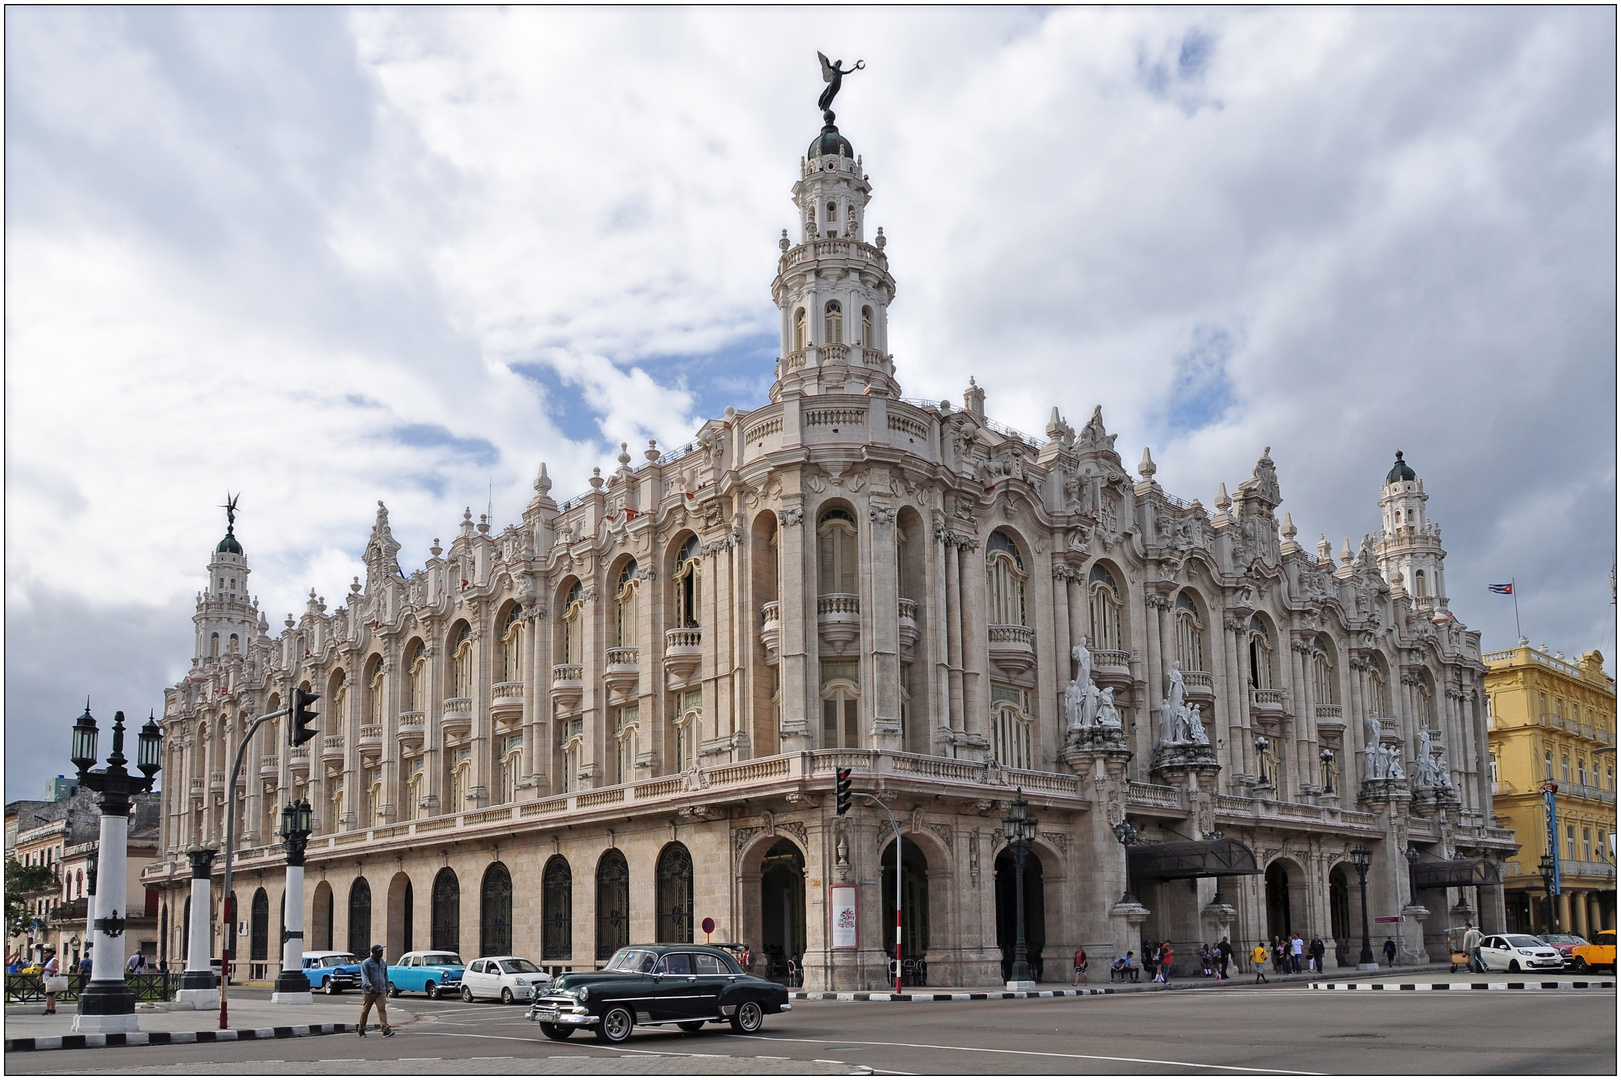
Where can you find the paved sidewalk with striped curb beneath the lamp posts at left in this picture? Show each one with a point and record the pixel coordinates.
(252, 1016)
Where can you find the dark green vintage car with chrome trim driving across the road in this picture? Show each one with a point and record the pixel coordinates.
(656, 985)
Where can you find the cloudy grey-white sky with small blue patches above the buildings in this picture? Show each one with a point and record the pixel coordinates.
(327, 259)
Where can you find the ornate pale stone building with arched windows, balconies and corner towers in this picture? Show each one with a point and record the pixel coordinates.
(625, 713)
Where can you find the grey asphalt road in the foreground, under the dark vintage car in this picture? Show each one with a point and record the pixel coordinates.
(1199, 1032)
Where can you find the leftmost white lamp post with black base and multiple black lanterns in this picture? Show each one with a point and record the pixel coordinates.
(108, 1005)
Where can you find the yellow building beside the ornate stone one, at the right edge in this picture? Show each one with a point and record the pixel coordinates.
(1552, 721)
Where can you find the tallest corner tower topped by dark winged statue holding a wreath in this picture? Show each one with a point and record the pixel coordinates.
(834, 289)
